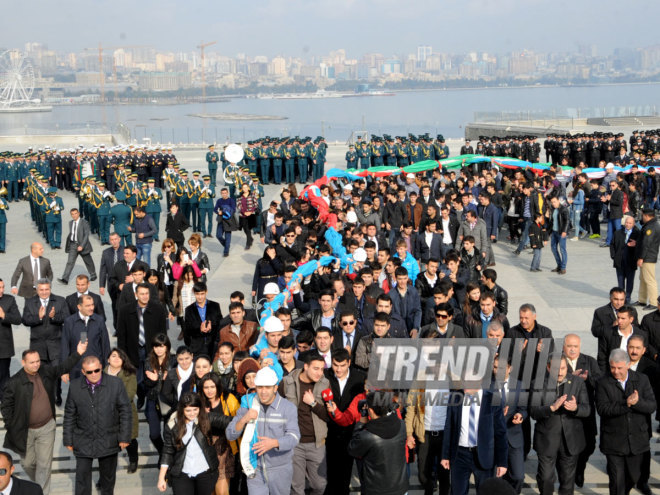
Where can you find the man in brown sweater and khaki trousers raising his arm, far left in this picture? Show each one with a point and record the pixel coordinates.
(28, 408)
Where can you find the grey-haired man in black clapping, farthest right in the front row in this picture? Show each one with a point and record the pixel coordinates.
(624, 400)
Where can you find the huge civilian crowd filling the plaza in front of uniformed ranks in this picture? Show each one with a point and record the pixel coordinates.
(242, 403)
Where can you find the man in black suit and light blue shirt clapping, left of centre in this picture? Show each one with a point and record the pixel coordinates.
(202, 323)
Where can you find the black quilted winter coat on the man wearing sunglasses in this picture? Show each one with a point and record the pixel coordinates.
(96, 423)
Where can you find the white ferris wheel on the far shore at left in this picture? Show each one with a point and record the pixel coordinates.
(16, 79)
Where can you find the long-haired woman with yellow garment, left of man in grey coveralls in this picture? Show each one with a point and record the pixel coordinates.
(217, 400)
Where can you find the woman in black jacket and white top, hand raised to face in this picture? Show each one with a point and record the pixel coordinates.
(189, 455)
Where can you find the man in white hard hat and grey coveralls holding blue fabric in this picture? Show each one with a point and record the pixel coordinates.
(273, 422)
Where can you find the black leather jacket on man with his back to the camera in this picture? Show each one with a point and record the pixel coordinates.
(381, 445)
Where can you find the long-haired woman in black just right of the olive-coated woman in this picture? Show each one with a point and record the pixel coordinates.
(158, 364)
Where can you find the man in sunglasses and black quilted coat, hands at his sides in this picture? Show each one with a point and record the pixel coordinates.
(97, 424)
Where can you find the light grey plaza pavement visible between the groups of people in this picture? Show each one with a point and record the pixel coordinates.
(564, 303)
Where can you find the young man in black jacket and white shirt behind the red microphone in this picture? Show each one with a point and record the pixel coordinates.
(345, 383)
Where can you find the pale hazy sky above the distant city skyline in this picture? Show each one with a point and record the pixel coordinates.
(299, 27)
